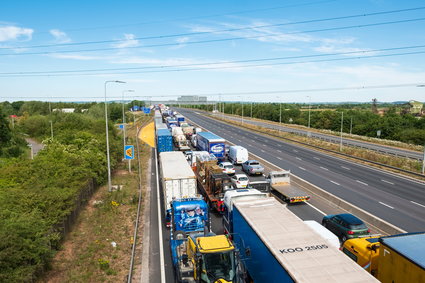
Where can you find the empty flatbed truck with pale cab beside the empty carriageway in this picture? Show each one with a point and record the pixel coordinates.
(280, 181)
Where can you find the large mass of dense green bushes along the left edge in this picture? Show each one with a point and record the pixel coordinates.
(37, 195)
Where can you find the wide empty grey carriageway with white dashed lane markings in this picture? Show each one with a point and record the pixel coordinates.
(396, 199)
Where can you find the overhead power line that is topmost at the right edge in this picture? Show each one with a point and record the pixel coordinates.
(220, 31)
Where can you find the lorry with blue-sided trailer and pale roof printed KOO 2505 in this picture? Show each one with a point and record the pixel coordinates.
(276, 246)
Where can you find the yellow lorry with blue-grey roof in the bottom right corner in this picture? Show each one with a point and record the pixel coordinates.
(397, 258)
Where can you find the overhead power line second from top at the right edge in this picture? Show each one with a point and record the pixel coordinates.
(217, 40)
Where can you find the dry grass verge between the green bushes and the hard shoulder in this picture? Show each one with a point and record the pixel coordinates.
(99, 247)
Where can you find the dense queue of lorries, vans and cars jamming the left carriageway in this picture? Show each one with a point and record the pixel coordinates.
(261, 239)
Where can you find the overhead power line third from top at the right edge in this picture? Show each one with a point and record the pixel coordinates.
(358, 52)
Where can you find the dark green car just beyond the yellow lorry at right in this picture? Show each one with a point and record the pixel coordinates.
(345, 226)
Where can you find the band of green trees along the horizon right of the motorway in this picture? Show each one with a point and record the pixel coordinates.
(357, 118)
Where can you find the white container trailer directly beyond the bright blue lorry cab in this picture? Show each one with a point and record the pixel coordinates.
(177, 179)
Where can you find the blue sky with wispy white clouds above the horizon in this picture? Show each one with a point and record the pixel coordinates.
(164, 49)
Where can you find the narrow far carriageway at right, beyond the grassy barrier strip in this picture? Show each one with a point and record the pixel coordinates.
(334, 139)
